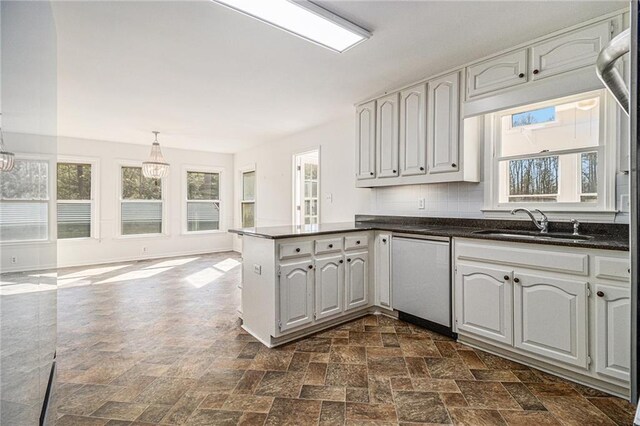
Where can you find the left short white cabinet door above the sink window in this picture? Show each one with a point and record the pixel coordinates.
(498, 73)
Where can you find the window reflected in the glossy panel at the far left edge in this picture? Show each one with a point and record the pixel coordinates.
(24, 201)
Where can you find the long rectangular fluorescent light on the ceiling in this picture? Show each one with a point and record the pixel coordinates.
(304, 19)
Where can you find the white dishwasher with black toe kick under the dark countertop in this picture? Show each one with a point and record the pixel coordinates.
(421, 281)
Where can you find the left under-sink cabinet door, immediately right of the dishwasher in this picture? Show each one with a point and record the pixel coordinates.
(484, 302)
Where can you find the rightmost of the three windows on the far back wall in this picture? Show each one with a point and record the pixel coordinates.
(203, 201)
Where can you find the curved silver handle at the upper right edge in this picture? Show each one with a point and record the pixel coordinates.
(609, 74)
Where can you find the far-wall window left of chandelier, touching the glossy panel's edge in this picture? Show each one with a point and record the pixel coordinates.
(74, 200)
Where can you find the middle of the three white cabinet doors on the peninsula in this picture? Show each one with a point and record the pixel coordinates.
(329, 286)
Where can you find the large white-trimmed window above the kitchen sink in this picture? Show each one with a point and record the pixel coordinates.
(553, 155)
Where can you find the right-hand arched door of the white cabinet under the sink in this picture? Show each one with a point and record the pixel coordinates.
(550, 317)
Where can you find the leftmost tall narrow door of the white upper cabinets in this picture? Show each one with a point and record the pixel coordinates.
(366, 140)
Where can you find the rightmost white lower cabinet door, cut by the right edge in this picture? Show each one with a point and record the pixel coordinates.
(613, 320)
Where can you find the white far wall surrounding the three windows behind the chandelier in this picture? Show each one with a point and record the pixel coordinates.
(110, 246)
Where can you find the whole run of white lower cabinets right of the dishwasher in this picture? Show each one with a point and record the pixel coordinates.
(571, 317)
